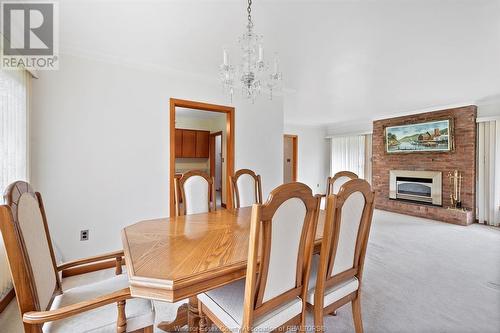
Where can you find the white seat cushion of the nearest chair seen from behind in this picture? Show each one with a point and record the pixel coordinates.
(227, 304)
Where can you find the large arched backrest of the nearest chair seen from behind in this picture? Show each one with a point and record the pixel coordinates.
(282, 235)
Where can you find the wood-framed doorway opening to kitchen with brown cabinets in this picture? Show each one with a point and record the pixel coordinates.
(191, 127)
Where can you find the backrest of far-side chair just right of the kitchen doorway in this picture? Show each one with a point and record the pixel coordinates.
(246, 188)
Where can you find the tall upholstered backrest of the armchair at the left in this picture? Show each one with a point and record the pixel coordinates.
(29, 247)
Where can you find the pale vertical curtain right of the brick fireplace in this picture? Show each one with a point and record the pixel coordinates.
(488, 175)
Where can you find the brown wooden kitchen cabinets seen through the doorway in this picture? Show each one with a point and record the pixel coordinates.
(191, 143)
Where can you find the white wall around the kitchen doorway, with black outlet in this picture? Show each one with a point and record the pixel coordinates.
(100, 146)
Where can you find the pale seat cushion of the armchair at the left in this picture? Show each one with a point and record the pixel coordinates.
(139, 312)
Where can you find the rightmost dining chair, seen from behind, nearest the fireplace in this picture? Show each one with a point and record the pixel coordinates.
(336, 273)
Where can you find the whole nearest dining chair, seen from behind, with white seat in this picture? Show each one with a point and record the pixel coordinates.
(279, 256)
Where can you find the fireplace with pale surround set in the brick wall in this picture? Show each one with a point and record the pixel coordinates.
(417, 186)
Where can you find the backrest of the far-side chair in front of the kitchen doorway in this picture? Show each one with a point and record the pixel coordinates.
(197, 192)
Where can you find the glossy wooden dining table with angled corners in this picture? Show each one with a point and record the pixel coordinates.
(177, 258)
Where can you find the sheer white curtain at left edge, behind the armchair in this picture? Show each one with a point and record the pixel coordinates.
(13, 144)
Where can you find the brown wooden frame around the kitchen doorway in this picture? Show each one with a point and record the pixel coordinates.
(229, 112)
